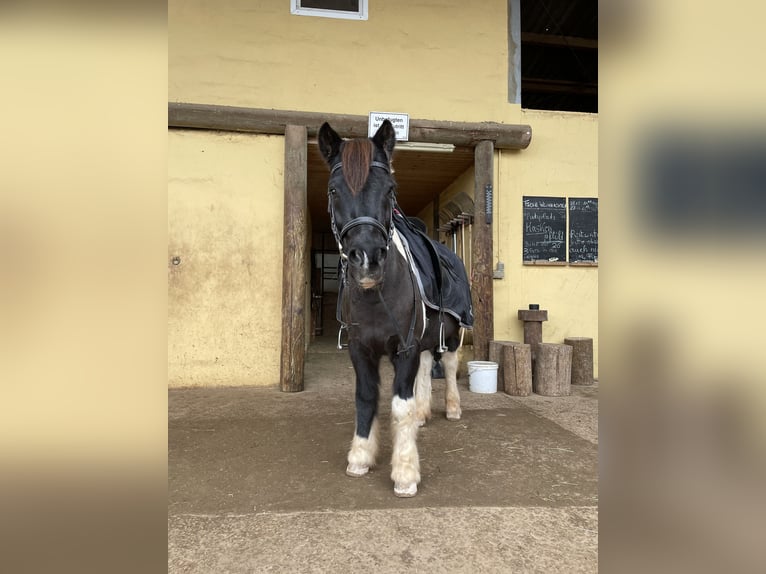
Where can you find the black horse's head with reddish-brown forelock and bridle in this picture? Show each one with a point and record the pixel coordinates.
(361, 194)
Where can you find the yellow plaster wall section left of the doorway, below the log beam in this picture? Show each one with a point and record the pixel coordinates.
(225, 211)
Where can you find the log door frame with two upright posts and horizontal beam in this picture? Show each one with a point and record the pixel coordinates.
(297, 126)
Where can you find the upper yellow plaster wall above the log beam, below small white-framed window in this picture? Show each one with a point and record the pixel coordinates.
(437, 59)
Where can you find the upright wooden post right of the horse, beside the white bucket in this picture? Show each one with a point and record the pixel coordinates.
(481, 250)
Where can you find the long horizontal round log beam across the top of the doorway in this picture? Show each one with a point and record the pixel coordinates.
(255, 120)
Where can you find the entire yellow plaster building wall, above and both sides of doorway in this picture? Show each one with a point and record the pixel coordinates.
(437, 59)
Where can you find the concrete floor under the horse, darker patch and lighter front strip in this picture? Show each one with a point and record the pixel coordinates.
(257, 483)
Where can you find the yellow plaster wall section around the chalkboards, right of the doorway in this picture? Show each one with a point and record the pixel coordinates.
(562, 161)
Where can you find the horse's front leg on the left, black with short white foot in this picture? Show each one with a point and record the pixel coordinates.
(364, 445)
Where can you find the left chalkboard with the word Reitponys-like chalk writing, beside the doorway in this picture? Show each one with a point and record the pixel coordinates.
(545, 227)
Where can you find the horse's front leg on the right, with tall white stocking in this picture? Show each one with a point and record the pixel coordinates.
(405, 463)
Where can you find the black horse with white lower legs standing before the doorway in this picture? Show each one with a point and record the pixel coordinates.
(383, 304)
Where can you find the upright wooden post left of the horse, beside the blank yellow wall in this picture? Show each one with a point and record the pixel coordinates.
(293, 260)
